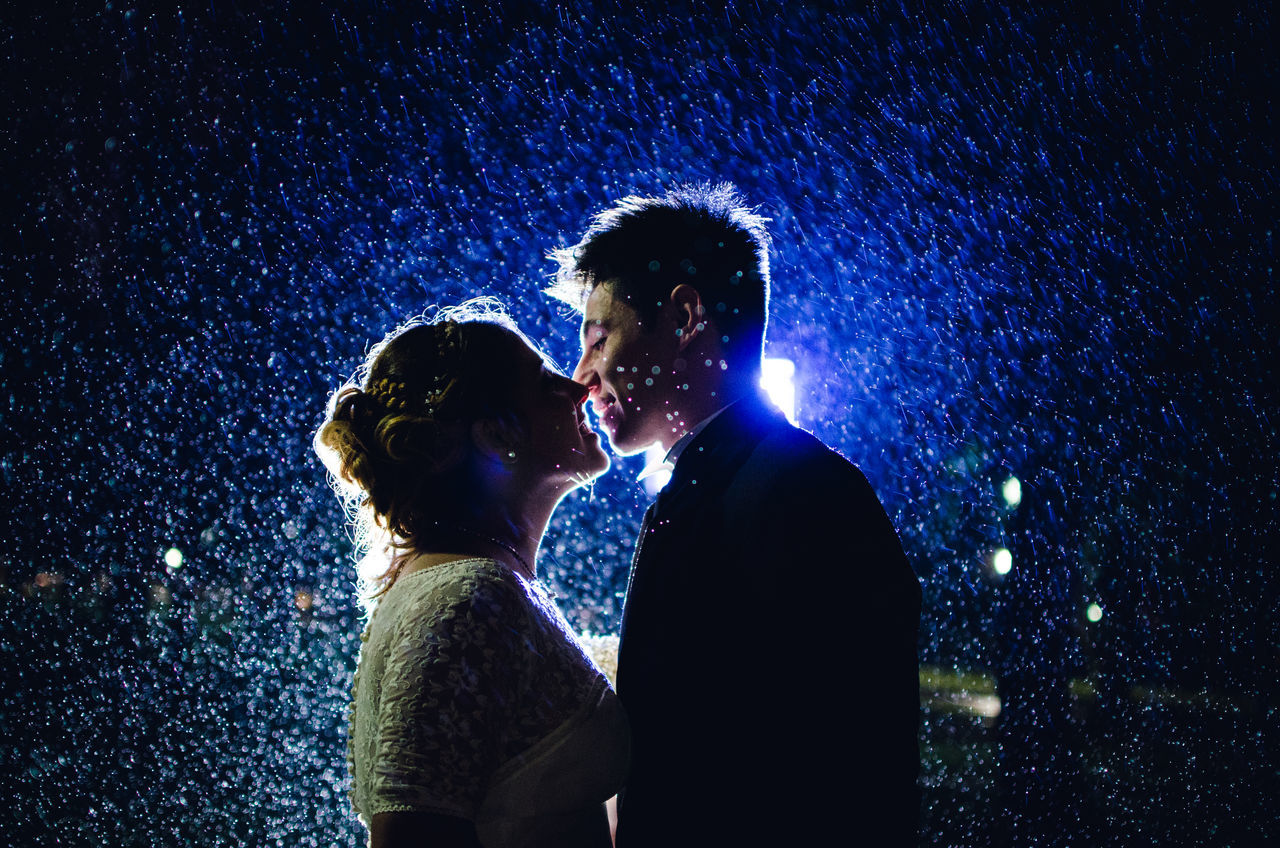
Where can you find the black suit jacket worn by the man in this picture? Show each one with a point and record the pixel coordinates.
(769, 650)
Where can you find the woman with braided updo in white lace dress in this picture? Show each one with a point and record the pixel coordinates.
(477, 717)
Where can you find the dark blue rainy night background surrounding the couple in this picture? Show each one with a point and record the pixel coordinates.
(1009, 243)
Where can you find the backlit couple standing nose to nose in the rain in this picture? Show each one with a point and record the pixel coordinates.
(766, 689)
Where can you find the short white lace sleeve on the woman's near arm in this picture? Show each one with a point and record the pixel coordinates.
(455, 668)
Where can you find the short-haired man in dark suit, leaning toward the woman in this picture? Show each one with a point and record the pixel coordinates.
(767, 658)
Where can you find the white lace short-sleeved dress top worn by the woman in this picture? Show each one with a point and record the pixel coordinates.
(473, 699)
